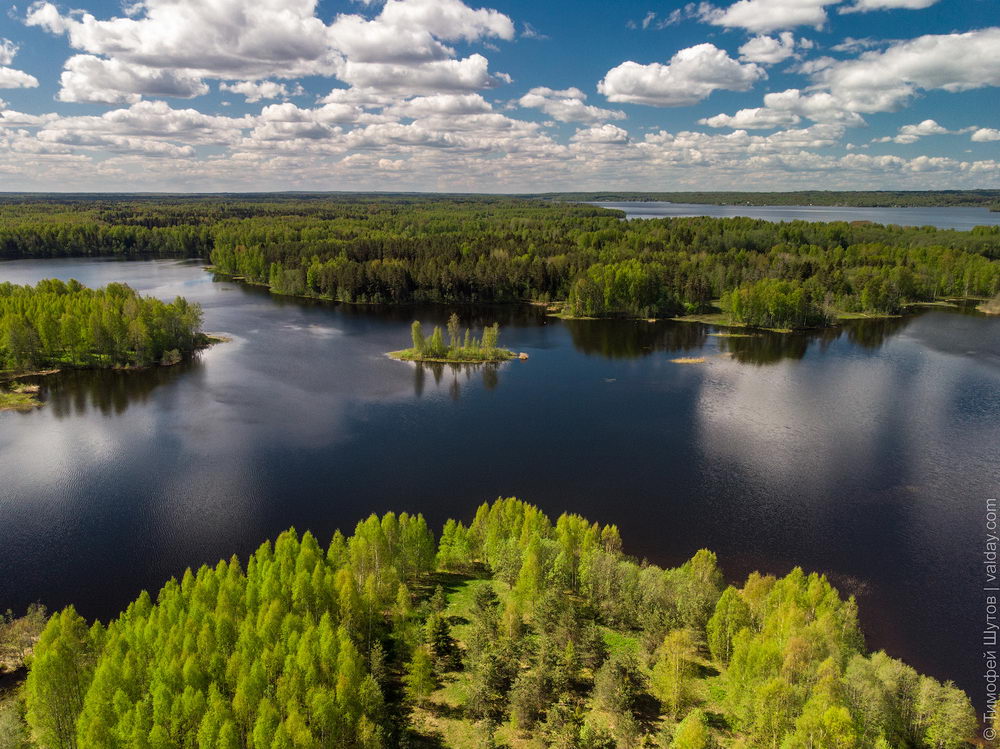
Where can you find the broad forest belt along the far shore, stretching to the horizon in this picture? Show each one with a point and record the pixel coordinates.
(403, 249)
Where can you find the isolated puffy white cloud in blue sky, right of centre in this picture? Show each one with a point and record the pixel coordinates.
(691, 75)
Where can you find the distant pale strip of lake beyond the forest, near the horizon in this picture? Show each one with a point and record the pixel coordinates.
(949, 217)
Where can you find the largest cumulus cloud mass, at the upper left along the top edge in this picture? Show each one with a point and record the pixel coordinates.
(187, 41)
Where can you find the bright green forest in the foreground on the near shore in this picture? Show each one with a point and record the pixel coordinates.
(511, 630)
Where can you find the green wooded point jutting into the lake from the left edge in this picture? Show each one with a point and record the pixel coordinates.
(56, 324)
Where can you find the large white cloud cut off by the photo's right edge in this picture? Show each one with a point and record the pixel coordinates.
(885, 81)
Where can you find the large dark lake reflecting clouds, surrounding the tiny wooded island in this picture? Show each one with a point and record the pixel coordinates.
(867, 451)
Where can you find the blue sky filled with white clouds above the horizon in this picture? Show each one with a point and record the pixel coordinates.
(511, 96)
